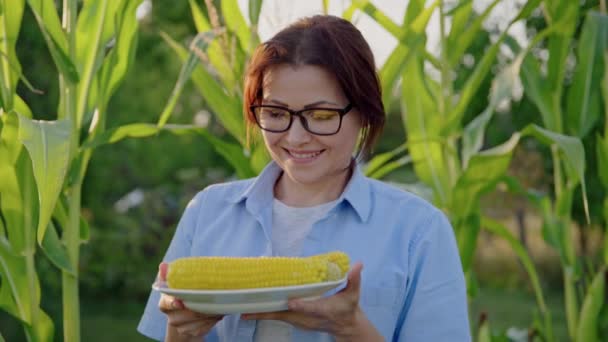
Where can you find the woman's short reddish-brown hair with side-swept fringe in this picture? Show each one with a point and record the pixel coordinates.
(334, 44)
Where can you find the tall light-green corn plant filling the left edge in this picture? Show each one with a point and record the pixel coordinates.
(43, 163)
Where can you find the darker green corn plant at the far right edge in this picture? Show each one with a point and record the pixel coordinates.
(575, 116)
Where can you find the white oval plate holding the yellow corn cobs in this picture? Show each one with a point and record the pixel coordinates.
(247, 300)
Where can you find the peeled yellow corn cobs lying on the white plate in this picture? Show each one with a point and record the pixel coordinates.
(215, 273)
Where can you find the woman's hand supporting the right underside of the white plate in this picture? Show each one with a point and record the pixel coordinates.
(339, 315)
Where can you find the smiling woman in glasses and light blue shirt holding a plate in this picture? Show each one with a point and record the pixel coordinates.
(313, 92)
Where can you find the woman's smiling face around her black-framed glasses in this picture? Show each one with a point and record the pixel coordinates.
(306, 158)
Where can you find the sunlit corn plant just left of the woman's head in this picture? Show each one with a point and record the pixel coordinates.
(219, 78)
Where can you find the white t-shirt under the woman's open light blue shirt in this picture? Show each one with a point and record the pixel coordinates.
(290, 226)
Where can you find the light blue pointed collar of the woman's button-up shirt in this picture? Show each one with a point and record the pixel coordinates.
(259, 194)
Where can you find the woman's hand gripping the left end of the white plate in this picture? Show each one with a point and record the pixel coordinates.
(183, 324)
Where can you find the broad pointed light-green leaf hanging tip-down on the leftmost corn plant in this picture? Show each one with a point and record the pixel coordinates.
(48, 145)
